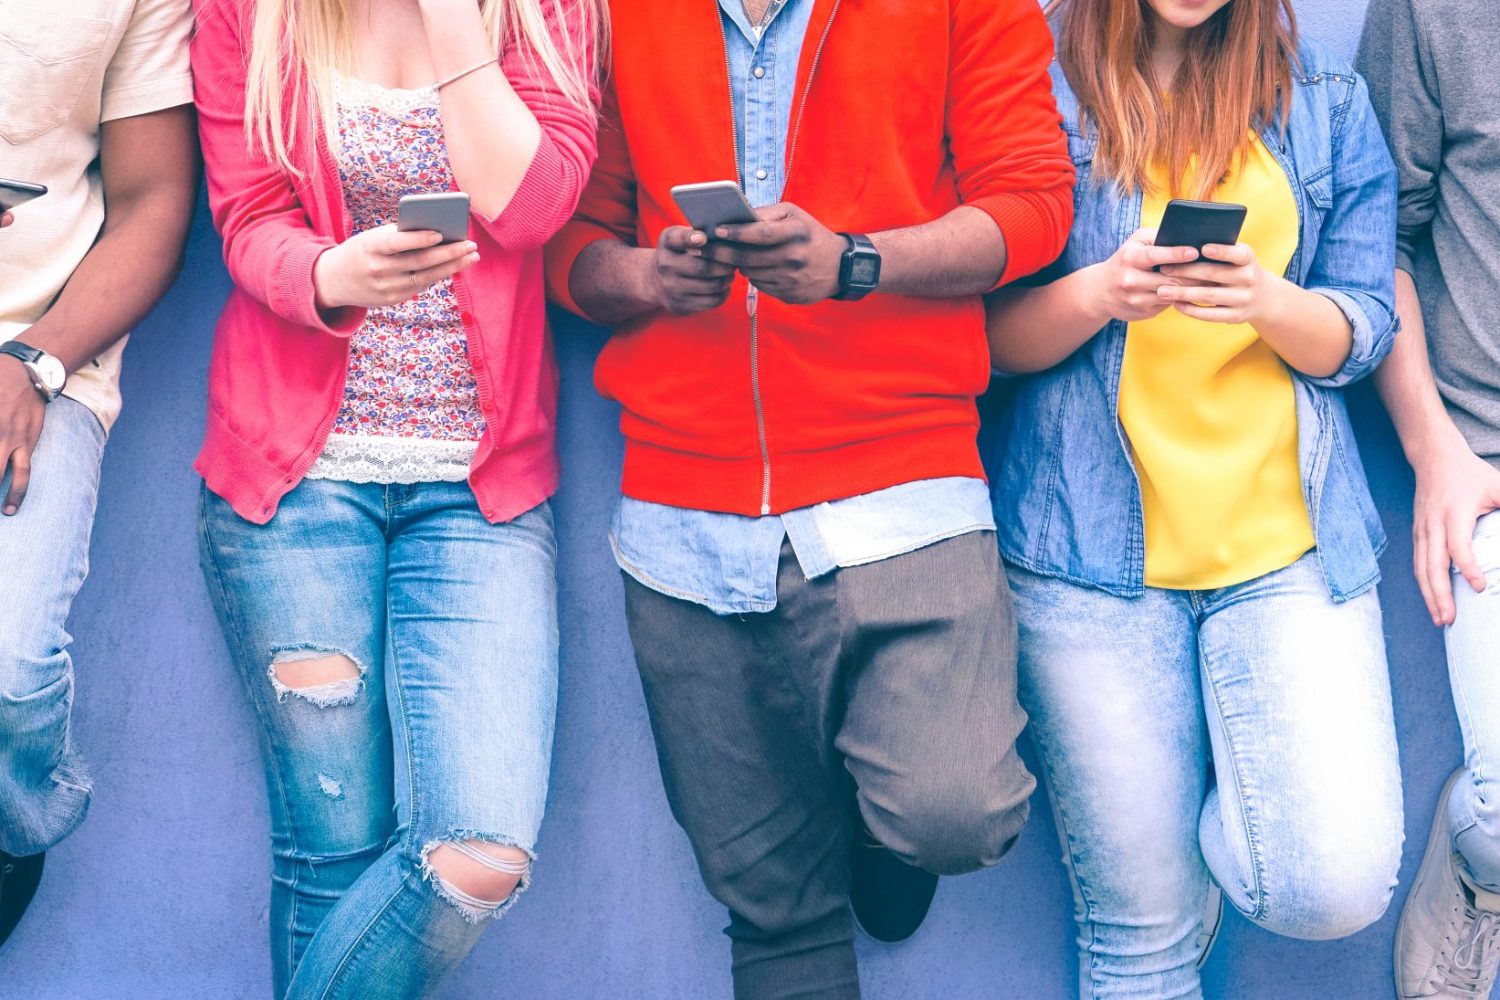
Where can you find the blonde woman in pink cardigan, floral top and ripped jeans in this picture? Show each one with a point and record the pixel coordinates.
(380, 452)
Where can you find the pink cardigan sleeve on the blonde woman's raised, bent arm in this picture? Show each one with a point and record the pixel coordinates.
(554, 184)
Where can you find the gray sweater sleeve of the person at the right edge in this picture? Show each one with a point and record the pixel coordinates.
(1397, 65)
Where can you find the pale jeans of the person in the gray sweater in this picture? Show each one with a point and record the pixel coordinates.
(1474, 669)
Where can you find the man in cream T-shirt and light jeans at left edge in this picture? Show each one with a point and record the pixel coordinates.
(95, 109)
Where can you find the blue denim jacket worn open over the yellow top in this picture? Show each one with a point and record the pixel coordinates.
(1067, 499)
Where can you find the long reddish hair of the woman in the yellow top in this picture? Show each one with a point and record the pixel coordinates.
(1237, 76)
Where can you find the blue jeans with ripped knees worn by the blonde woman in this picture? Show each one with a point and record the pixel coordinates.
(445, 738)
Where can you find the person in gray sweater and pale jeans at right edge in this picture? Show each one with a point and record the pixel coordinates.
(1433, 82)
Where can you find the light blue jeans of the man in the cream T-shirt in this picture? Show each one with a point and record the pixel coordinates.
(44, 560)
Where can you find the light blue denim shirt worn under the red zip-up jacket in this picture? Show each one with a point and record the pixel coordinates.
(728, 561)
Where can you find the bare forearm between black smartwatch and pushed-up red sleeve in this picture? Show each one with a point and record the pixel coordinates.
(961, 254)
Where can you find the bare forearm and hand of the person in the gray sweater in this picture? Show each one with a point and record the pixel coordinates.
(1454, 488)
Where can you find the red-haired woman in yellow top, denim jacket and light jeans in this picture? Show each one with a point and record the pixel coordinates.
(1183, 509)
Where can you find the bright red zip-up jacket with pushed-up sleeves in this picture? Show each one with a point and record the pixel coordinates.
(904, 112)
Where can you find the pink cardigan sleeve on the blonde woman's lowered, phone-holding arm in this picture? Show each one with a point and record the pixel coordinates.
(269, 242)
